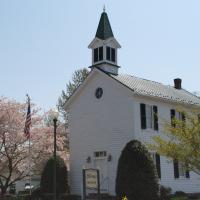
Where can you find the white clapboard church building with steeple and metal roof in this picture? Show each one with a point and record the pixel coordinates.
(109, 109)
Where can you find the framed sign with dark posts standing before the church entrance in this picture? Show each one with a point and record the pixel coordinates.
(91, 181)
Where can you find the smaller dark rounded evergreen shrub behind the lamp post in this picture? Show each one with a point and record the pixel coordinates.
(47, 179)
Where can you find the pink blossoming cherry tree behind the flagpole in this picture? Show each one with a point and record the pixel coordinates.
(15, 157)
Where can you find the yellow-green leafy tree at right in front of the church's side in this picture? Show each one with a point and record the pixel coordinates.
(182, 140)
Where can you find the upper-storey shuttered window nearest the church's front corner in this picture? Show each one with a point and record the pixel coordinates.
(149, 116)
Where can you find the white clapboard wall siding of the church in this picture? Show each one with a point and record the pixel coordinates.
(107, 124)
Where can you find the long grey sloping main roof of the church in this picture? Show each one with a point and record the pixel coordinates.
(155, 89)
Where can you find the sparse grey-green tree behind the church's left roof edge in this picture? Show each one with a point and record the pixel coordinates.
(77, 79)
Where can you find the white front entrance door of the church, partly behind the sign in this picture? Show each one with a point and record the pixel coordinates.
(101, 164)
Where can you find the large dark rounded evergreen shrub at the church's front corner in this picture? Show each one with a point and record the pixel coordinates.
(136, 177)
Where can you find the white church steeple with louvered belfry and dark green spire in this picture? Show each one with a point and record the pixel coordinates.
(104, 47)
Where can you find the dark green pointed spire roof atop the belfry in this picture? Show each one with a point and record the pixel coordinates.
(104, 30)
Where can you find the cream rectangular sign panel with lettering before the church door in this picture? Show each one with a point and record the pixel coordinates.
(91, 178)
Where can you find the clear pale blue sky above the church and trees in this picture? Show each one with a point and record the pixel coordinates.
(42, 42)
